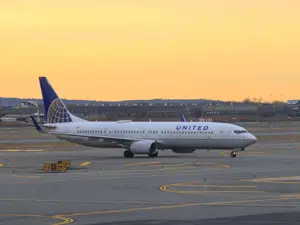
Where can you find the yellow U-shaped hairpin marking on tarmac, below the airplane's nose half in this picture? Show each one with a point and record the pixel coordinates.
(205, 192)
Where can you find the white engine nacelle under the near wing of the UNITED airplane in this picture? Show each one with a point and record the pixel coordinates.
(143, 147)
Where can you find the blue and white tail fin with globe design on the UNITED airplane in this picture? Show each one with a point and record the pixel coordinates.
(55, 110)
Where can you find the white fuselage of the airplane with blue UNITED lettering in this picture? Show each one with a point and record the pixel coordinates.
(170, 135)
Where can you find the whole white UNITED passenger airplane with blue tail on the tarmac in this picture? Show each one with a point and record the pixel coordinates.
(139, 137)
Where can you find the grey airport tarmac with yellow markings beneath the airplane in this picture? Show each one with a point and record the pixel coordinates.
(259, 186)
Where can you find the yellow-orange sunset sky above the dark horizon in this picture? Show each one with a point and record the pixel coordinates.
(146, 49)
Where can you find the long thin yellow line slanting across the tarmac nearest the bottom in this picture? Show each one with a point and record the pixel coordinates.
(174, 206)
